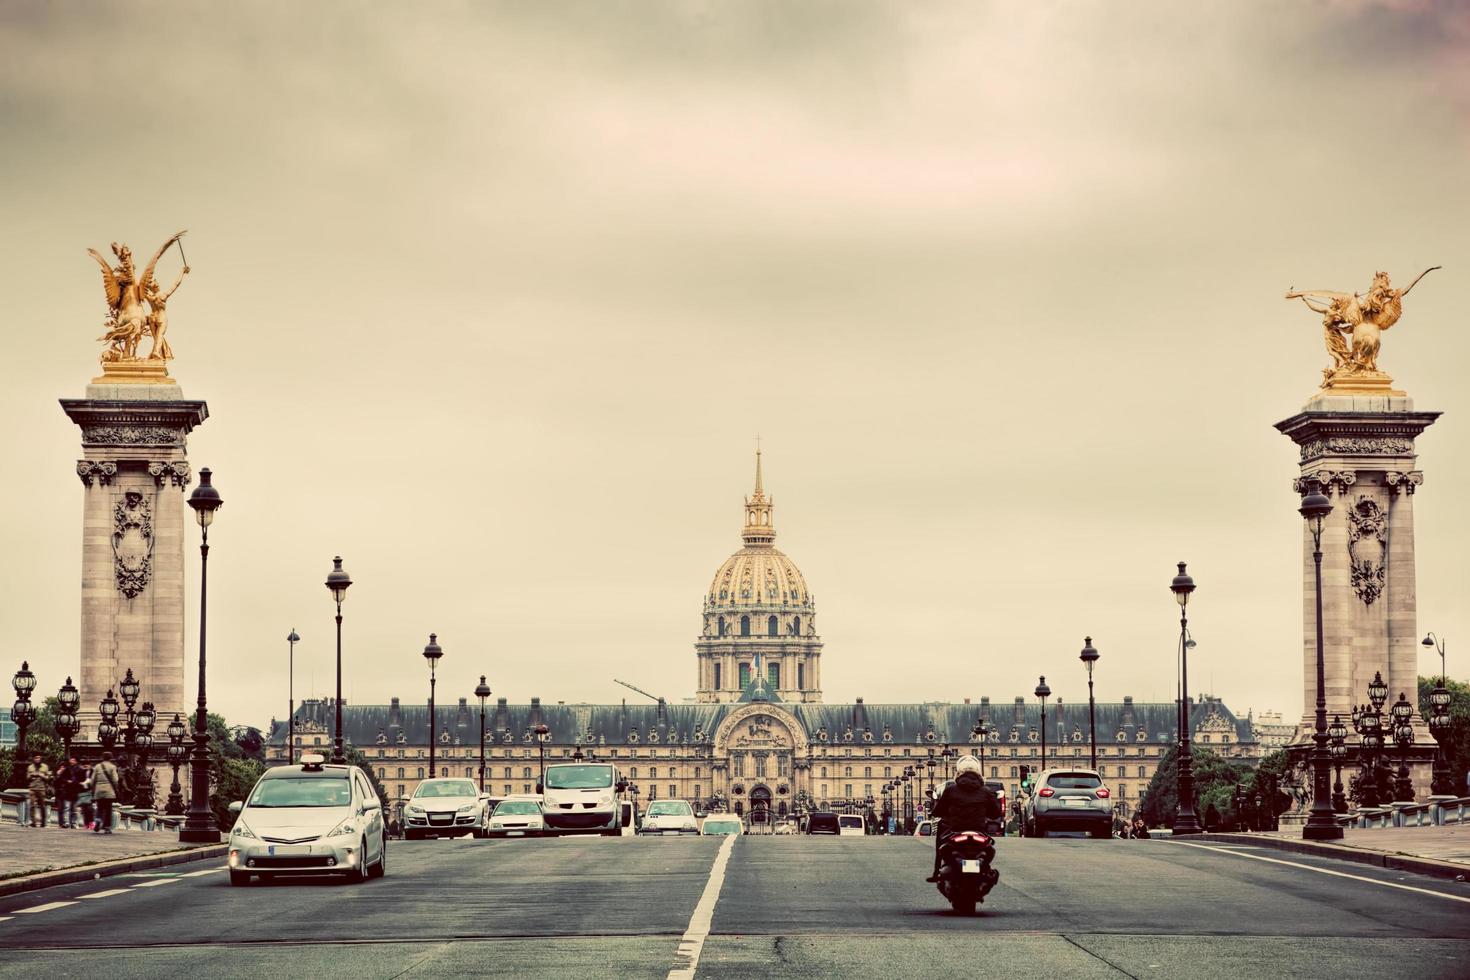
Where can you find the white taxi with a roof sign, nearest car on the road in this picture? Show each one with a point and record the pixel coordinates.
(309, 819)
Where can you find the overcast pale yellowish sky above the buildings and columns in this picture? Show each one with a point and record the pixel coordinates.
(495, 299)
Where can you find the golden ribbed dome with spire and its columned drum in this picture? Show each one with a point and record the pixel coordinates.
(761, 634)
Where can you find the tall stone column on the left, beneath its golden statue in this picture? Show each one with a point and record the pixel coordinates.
(136, 475)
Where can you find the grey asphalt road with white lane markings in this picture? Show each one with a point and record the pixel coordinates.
(790, 907)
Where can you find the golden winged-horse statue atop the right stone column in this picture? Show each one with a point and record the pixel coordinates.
(1360, 320)
